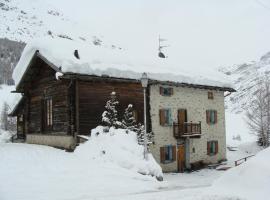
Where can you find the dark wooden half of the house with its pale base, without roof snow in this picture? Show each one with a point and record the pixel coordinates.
(55, 111)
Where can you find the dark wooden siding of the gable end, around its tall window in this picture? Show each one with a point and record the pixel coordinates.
(44, 85)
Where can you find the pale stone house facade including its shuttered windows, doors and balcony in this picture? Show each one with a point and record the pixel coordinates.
(189, 126)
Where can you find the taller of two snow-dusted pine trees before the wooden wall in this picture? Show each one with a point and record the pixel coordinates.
(110, 115)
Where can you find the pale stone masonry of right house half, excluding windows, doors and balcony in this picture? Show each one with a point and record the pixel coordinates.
(196, 102)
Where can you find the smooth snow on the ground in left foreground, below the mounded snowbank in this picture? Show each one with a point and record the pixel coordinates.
(32, 172)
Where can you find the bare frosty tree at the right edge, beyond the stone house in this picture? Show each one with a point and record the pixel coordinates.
(258, 113)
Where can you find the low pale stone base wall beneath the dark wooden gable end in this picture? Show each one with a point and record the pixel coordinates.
(61, 141)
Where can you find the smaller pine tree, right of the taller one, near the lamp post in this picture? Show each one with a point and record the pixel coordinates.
(129, 121)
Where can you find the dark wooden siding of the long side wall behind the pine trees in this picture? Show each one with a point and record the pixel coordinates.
(93, 97)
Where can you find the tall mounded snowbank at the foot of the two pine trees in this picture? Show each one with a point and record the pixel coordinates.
(119, 148)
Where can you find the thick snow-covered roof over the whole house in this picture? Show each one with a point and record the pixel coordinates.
(112, 62)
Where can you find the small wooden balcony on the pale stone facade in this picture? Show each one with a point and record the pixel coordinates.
(187, 129)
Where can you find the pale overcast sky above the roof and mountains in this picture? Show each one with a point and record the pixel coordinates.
(201, 33)
